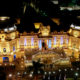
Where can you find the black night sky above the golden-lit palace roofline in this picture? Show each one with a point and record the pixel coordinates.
(42, 11)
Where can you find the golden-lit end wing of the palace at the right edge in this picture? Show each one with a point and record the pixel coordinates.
(74, 37)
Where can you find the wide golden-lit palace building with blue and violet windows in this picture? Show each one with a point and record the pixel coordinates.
(13, 44)
